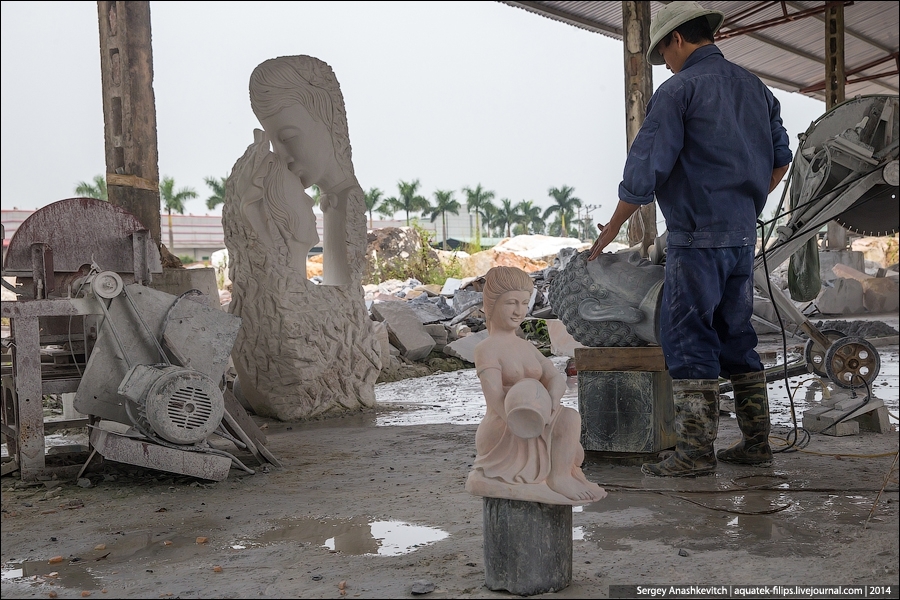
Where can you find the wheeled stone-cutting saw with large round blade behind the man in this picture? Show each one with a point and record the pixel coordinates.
(845, 170)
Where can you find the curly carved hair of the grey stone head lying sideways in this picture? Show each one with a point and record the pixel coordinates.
(569, 288)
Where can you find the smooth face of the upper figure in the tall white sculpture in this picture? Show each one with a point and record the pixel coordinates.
(302, 141)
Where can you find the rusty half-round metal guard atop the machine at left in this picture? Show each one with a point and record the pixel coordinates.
(79, 231)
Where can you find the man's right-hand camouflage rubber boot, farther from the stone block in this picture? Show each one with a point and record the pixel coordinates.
(751, 406)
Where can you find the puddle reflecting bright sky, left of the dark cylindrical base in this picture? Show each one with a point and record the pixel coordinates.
(357, 535)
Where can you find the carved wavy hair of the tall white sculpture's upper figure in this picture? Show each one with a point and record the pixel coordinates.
(278, 83)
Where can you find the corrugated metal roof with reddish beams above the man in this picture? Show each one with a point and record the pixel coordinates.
(788, 56)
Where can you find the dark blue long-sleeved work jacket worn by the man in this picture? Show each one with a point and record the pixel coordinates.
(707, 148)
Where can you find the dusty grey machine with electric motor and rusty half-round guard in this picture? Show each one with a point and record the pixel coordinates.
(144, 365)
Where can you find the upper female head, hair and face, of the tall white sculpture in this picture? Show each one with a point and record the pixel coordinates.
(298, 101)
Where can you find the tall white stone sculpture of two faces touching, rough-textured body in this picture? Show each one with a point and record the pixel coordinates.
(304, 350)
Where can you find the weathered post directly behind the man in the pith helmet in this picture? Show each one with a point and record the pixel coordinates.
(638, 89)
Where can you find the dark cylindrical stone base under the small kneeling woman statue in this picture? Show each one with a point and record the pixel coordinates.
(527, 546)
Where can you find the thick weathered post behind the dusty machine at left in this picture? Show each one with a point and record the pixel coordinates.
(129, 111)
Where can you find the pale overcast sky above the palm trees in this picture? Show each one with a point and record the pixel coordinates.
(453, 94)
